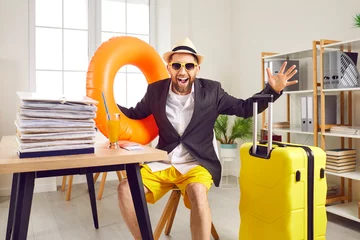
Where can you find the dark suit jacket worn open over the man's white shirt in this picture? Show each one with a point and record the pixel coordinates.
(210, 101)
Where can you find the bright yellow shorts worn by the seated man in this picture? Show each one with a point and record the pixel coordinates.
(160, 182)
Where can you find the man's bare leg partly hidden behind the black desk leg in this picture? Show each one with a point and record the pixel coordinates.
(127, 208)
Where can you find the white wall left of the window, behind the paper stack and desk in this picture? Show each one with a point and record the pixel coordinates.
(14, 72)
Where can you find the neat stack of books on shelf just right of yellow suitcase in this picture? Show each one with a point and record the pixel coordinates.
(341, 160)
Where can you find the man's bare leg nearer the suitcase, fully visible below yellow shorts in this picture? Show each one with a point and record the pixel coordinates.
(200, 216)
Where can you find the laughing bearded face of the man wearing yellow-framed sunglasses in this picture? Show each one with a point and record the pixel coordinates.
(183, 69)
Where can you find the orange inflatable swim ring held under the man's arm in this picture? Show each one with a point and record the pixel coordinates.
(106, 62)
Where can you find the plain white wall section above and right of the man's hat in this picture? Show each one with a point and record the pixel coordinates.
(208, 24)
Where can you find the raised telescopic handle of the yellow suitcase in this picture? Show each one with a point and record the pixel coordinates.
(269, 98)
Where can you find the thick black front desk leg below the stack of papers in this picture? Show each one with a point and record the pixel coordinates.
(25, 190)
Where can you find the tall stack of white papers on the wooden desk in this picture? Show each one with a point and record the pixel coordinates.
(51, 126)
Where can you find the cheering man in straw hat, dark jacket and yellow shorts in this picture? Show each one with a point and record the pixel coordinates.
(185, 109)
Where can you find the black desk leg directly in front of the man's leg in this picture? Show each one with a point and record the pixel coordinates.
(140, 204)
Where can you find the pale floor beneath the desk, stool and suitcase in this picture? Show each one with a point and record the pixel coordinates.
(54, 218)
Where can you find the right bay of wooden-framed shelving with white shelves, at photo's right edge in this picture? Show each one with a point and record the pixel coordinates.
(342, 82)
